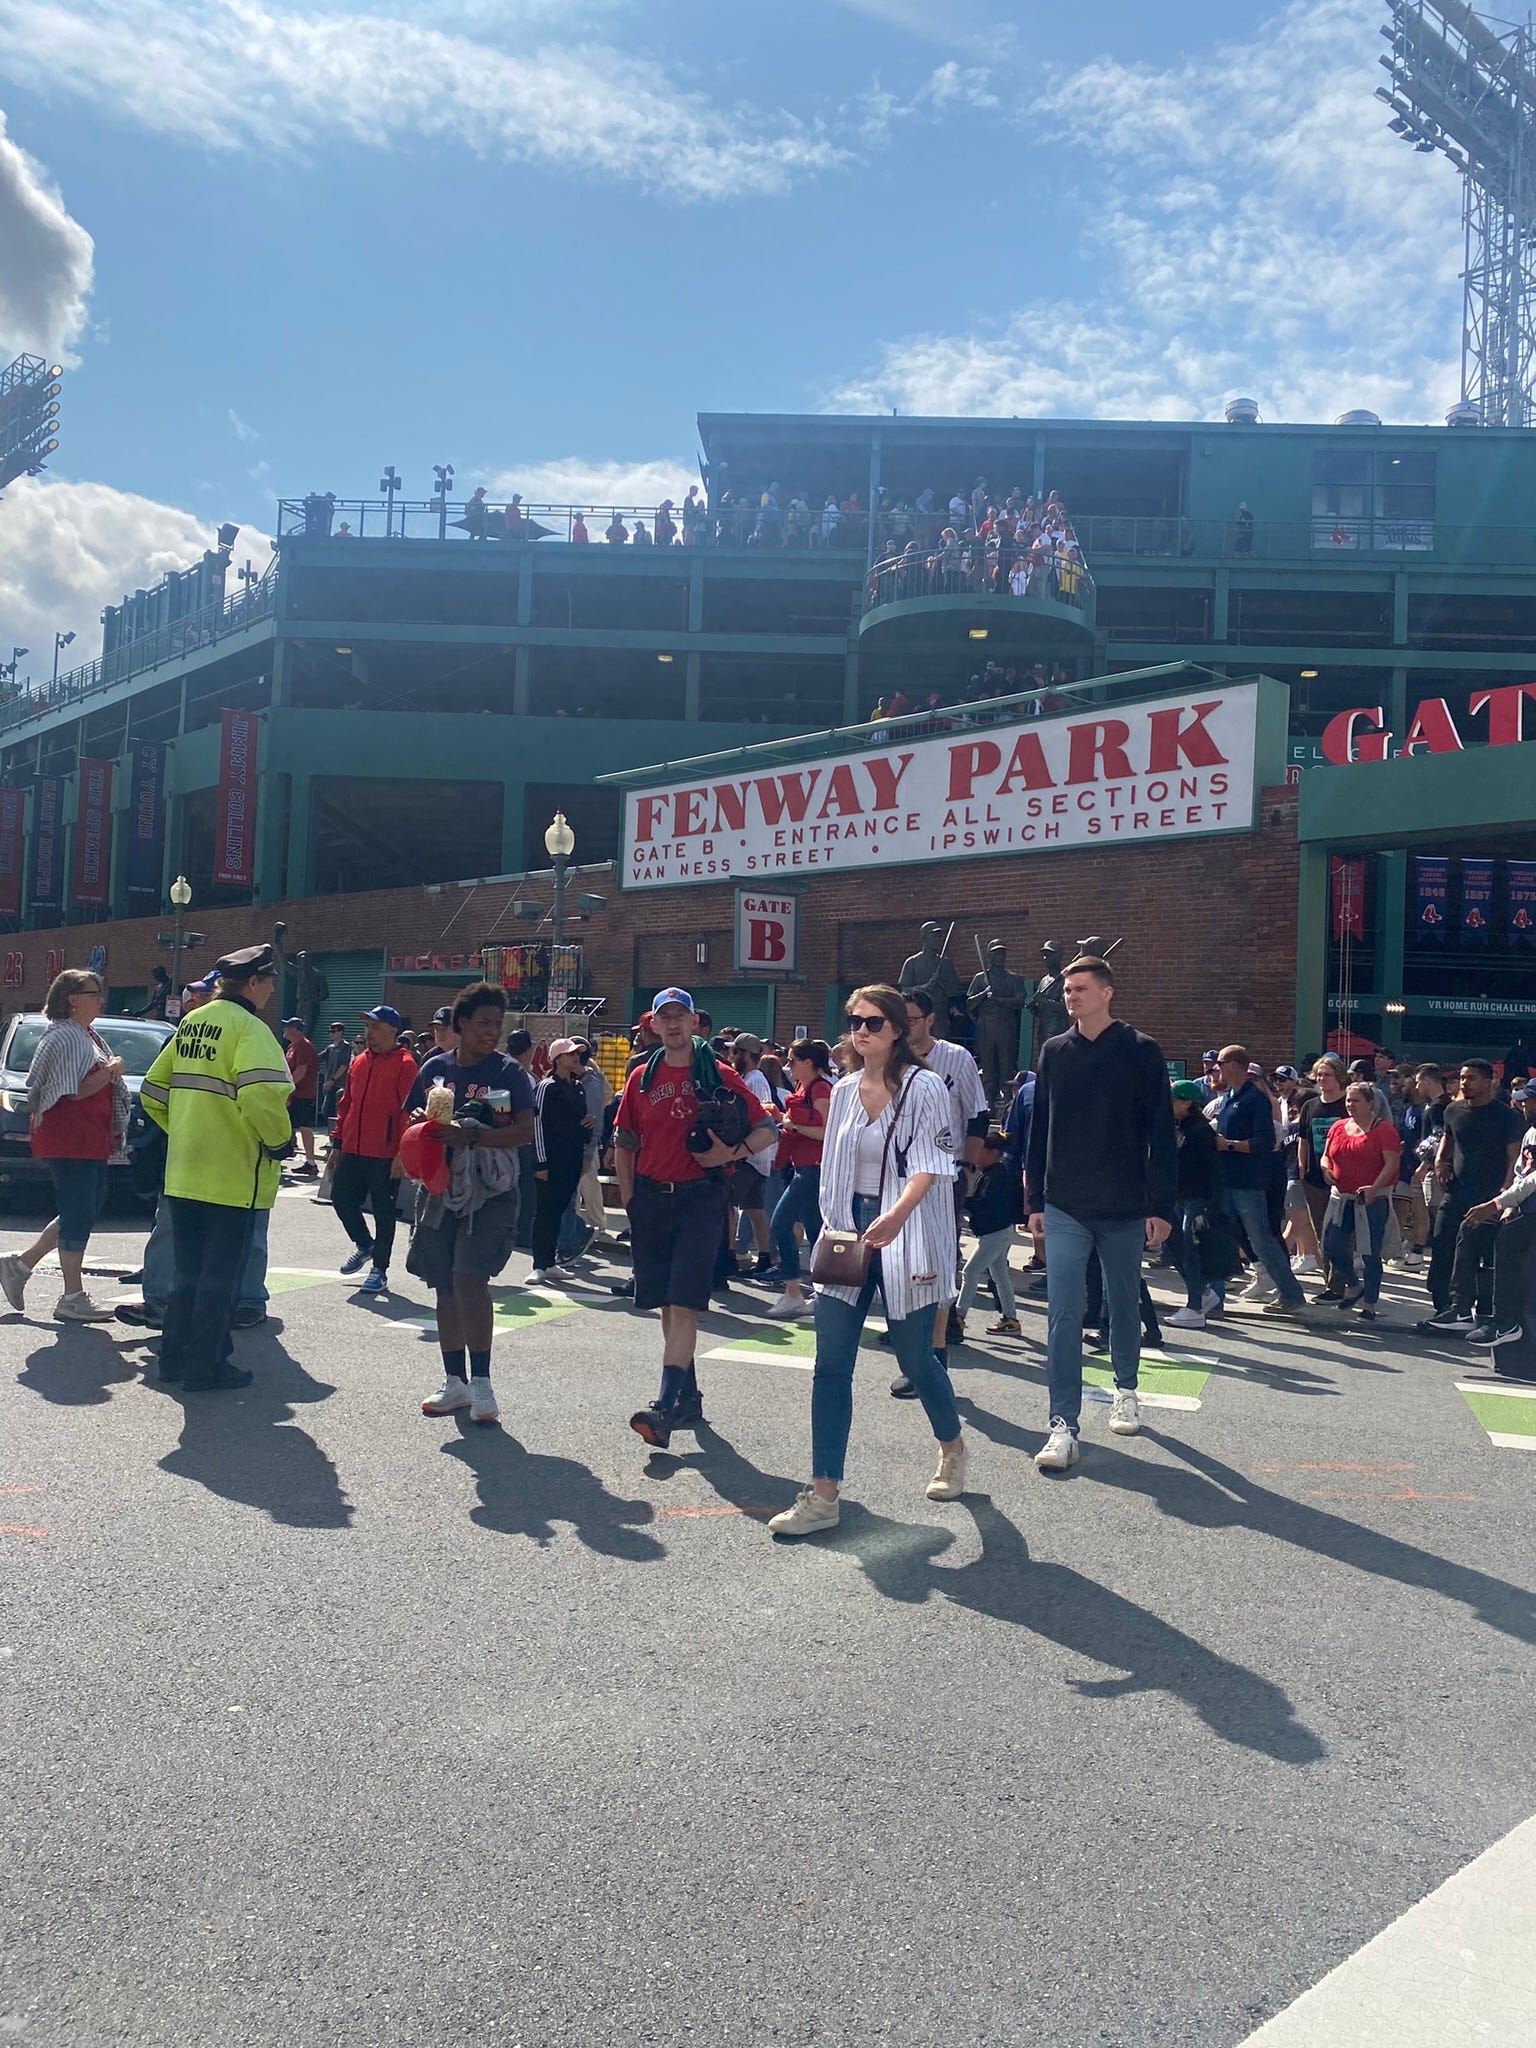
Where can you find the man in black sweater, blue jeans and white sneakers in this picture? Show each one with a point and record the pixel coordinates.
(1101, 1177)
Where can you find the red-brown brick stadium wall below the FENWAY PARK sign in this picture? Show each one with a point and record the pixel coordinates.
(1207, 931)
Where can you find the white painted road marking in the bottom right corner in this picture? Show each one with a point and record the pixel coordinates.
(1457, 1971)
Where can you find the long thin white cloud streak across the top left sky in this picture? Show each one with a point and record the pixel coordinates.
(253, 75)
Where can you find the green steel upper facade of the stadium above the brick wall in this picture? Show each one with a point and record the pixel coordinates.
(427, 699)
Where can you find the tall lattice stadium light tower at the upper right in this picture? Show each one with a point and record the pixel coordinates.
(1467, 91)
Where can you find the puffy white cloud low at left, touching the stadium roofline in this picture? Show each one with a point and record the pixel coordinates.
(67, 550)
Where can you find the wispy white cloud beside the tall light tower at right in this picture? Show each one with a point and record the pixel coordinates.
(1258, 230)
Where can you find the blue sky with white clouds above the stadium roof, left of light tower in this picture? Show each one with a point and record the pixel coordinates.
(284, 243)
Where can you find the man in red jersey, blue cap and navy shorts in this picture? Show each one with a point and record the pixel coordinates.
(677, 1197)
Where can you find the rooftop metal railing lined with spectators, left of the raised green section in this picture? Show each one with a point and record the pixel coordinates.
(728, 525)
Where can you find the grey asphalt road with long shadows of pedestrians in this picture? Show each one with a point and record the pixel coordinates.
(337, 1725)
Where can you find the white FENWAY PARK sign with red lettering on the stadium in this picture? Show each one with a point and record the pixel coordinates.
(1156, 771)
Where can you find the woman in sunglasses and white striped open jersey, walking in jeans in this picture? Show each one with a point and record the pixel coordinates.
(886, 1170)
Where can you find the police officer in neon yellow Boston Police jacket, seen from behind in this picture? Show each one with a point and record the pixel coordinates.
(220, 1093)
